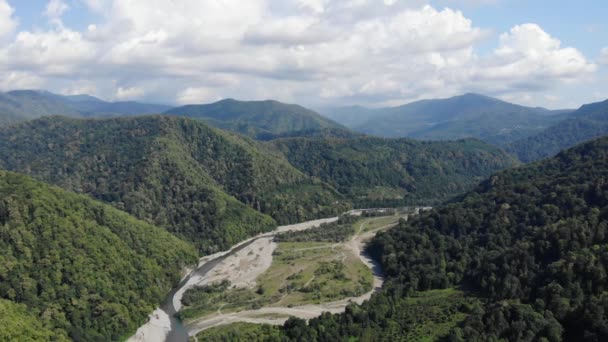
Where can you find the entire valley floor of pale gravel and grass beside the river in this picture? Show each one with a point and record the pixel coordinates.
(262, 281)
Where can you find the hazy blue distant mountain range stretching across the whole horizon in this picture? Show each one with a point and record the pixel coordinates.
(527, 132)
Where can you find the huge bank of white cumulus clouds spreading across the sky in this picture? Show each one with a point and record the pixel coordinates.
(309, 51)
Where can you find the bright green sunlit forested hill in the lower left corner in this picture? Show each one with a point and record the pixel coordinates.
(72, 268)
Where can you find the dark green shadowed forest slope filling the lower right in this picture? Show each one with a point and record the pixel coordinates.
(529, 245)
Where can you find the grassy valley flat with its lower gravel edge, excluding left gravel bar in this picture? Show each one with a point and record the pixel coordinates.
(293, 285)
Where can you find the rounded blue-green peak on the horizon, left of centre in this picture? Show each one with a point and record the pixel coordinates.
(258, 119)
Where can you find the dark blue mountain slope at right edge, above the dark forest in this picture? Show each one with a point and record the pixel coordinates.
(588, 122)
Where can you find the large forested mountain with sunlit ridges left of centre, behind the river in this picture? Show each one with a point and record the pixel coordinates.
(176, 173)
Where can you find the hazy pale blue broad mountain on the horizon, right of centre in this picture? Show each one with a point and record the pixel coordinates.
(470, 115)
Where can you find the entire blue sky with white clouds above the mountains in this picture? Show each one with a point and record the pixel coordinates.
(317, 53)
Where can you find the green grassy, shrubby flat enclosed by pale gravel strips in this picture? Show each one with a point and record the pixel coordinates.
(301, 273)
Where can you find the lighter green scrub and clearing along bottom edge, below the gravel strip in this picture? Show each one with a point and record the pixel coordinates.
(424, 316)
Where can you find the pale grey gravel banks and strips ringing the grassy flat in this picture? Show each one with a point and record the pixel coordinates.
(241, 265)
